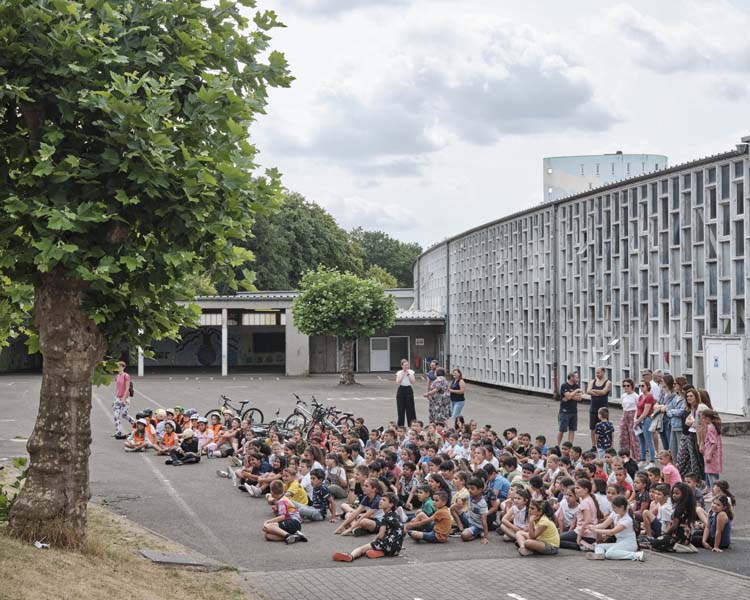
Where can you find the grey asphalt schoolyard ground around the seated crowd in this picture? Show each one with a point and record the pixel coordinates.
(193, 506)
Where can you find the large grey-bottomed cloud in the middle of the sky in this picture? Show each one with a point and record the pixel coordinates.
(478, 85)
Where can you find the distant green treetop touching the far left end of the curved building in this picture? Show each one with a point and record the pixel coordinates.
(396, 257)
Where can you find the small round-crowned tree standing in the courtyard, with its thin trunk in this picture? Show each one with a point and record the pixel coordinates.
(343, 305)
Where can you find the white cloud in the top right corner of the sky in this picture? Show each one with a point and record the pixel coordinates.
(685, 45)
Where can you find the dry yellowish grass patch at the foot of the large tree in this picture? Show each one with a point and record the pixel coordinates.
(108, 566)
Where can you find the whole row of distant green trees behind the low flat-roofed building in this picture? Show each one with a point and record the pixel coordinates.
(301, 235)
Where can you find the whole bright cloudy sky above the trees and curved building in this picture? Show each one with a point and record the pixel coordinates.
(424, 118)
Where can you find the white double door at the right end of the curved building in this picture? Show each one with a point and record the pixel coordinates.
(723, 369)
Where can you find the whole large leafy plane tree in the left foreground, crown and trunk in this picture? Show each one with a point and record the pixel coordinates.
(125, 167)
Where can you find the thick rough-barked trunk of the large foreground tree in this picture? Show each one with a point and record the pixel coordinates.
(52, 504)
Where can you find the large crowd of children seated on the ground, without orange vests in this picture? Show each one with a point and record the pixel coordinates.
(432, 484)
